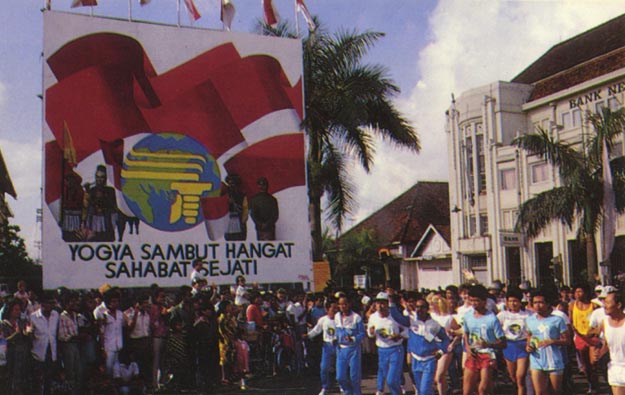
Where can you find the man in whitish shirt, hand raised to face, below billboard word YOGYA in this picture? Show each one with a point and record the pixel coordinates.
(111, 321)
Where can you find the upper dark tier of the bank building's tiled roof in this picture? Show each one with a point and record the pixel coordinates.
(582, 48)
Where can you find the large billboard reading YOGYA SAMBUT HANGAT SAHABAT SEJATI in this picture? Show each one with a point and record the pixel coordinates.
(165, 145)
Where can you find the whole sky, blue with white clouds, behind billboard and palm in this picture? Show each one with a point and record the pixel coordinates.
(431, 49)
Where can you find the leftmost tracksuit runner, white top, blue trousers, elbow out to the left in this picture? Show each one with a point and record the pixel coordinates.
(326, 326)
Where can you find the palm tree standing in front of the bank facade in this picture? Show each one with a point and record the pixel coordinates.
(580, 196)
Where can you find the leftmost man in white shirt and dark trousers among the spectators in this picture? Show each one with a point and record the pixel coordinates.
(44, 326)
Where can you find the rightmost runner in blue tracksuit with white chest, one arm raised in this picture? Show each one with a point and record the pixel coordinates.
(427, 342)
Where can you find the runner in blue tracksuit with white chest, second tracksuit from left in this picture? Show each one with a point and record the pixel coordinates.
(350, 332)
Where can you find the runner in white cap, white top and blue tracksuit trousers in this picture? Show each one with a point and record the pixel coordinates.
(389, 338)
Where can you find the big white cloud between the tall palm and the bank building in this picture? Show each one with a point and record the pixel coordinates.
(473, 44)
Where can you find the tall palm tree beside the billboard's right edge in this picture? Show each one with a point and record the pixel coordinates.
(348, 102)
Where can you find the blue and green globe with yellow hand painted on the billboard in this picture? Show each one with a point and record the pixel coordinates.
(164, 178)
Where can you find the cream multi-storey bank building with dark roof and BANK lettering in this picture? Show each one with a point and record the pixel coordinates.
(490, 178)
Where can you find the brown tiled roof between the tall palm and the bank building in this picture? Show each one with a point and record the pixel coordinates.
(407, 217)
